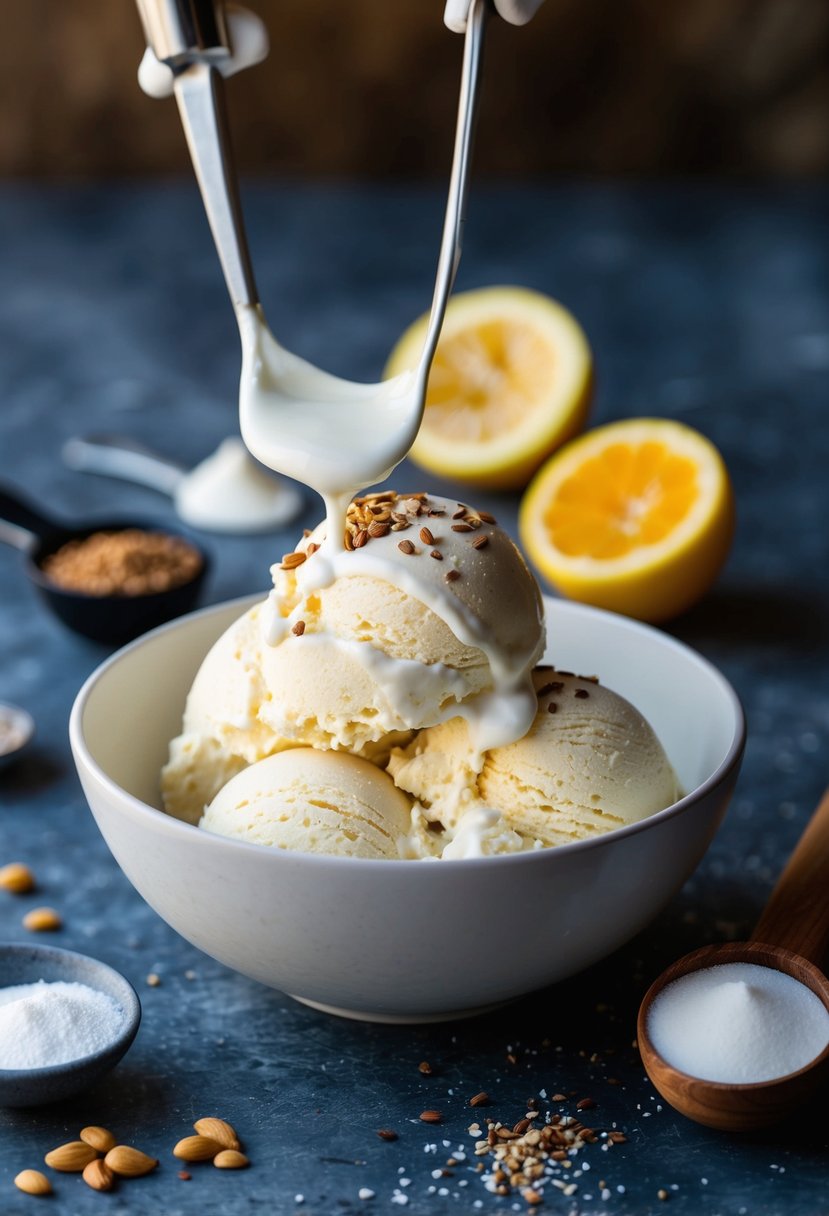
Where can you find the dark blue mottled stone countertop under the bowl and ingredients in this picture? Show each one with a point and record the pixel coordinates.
(703, 303)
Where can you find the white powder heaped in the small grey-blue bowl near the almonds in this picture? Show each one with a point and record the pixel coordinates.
(44, 1024)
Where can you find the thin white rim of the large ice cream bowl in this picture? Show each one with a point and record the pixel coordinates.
(140, 809)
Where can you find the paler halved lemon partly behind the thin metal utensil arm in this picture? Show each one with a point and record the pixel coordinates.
(511, 382)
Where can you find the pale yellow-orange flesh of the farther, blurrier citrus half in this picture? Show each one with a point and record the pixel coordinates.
(484, 379)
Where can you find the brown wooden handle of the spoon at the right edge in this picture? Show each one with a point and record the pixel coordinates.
(797, 916)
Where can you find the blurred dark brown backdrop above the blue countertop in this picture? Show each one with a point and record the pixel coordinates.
(368, 88)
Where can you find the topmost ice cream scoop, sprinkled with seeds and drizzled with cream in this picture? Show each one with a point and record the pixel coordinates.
(431, 613)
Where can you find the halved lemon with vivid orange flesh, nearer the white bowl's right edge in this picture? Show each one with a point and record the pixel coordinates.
(636, 517)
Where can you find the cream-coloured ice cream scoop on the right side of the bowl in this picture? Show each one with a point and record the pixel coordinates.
(589, 764)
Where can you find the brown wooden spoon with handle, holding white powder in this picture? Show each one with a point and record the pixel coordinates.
(792, 937)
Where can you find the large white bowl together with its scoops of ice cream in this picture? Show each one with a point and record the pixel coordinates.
(374, 869)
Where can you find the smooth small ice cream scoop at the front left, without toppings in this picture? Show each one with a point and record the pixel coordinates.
(314, 802)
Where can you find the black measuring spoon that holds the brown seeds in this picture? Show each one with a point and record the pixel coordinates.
(111, 620)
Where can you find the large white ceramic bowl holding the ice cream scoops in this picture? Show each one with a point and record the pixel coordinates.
(403, 941)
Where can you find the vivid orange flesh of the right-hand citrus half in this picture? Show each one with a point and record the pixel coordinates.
(628, 497)
